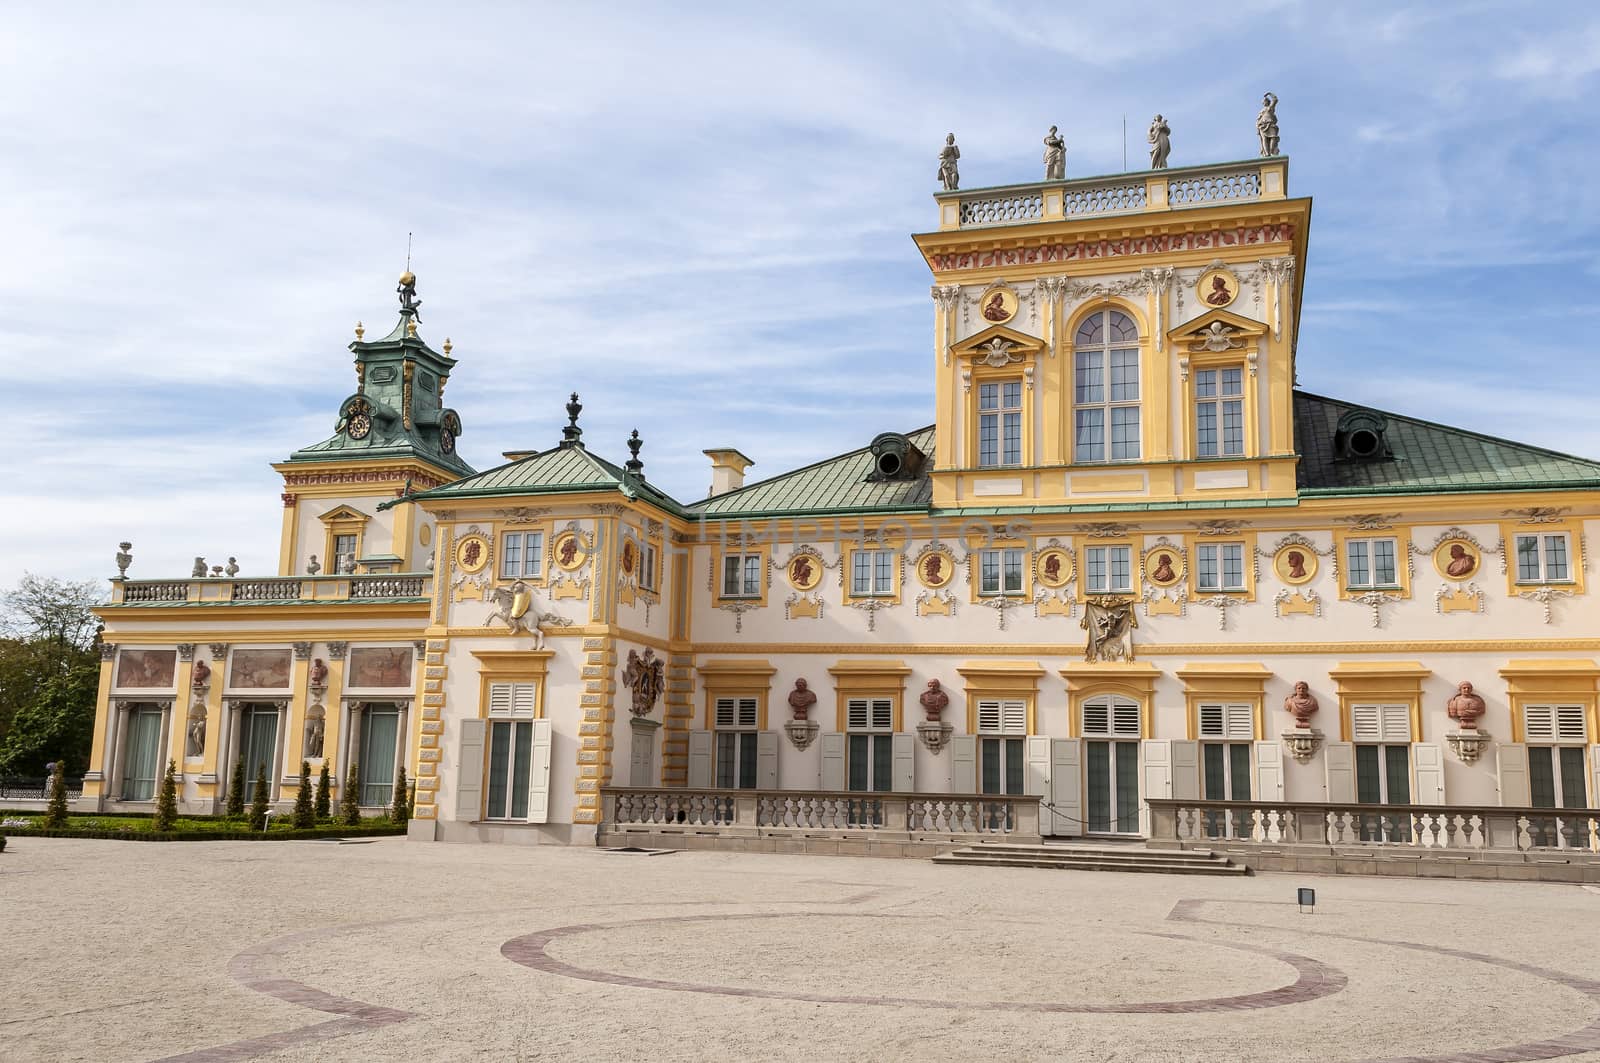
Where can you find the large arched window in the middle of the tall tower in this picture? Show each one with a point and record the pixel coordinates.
(1106, 388)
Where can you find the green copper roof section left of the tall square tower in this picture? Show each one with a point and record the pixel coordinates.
(828, 487)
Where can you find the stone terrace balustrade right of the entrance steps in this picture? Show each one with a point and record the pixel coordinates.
(1463, 830)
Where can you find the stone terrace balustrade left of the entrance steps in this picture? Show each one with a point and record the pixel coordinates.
(844, 812)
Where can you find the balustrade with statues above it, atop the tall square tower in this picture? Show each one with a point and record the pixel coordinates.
(1119, 195)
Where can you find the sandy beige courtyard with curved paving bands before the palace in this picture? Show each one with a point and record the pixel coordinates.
(401, 950)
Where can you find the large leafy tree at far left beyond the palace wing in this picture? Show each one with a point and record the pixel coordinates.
(49, 673)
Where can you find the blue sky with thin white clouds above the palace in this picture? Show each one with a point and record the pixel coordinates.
(698, 217)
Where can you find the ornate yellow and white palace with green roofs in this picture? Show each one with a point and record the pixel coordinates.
(1127, 561)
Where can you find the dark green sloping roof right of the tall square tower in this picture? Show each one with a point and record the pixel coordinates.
(1428, 459)
